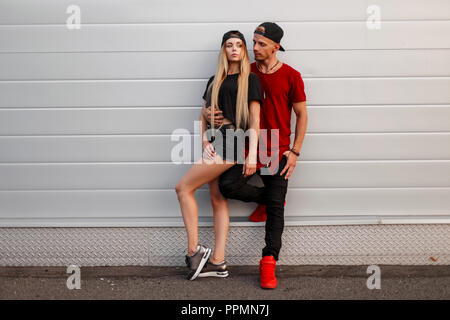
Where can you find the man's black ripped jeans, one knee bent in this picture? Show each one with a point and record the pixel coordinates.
(233, 185)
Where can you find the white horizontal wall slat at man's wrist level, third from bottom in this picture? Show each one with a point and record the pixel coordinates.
(401, 147)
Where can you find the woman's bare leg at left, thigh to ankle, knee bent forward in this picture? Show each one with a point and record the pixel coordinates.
(199, 174)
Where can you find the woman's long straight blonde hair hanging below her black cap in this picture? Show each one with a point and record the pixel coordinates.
(242, 111)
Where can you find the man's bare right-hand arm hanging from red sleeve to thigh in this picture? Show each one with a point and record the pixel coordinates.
(300, 130)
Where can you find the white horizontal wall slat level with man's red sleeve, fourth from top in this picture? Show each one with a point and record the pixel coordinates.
(158, 93)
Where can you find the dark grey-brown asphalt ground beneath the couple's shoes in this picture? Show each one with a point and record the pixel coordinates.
(294, 282)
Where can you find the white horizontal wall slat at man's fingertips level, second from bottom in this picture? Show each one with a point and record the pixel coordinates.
(308, 174)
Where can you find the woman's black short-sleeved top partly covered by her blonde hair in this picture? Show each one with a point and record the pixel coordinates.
(228, 94)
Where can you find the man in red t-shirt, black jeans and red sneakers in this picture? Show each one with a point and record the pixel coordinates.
(283, 90)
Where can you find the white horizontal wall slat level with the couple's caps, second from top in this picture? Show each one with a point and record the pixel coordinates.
(207, 36)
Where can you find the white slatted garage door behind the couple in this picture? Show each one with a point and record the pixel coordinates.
(86, 115)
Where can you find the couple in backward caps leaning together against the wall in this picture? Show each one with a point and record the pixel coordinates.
(248, 97)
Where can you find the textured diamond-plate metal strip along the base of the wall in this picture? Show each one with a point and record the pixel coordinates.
(341, 245)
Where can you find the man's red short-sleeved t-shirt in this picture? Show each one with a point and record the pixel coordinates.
(280, 90)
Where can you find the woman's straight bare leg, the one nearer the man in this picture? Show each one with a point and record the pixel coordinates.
(221, 221)
